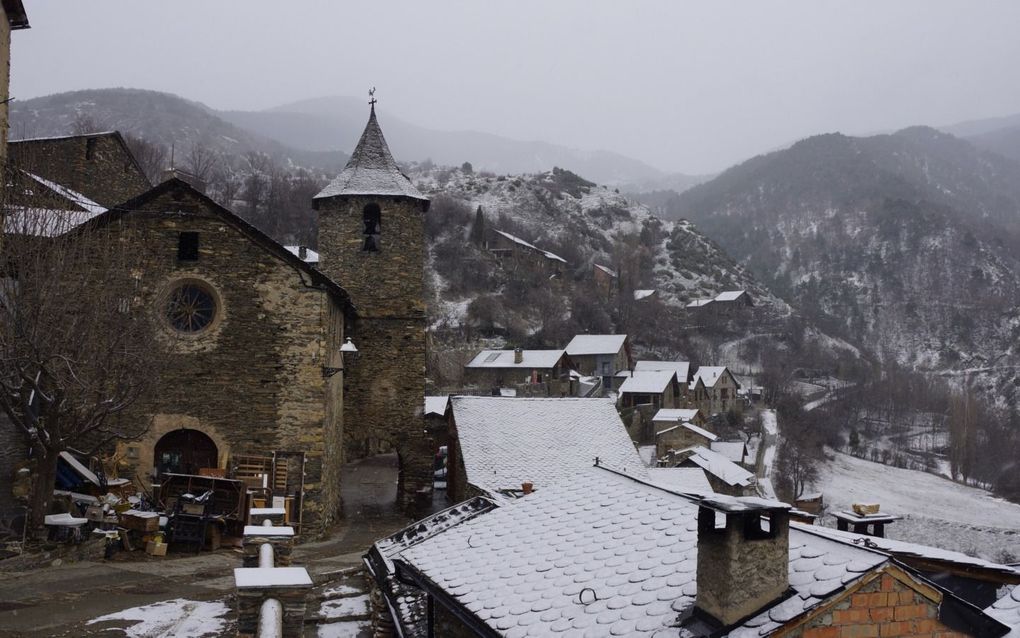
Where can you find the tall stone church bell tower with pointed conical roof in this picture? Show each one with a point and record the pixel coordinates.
(372, 241)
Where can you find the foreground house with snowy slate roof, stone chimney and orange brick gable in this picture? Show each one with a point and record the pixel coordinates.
(604, 553)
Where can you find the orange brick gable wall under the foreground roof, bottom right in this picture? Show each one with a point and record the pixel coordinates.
(884, 607)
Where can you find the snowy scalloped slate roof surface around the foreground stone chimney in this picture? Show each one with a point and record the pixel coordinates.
(525, 567)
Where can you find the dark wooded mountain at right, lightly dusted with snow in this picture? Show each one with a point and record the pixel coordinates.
(906, 244)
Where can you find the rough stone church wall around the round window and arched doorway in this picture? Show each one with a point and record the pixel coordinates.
(253, 380)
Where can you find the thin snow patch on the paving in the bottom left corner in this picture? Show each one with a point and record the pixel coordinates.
(173, 619)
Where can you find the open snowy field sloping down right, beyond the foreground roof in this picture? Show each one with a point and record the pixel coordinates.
(936, 512)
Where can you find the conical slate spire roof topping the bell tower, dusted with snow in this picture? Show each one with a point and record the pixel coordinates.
(372, 170)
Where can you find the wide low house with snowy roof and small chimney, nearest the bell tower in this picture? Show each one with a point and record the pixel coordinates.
(543, 373)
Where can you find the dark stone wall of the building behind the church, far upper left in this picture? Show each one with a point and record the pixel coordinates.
(99, 167)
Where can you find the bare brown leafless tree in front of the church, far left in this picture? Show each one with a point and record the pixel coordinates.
(76, 351)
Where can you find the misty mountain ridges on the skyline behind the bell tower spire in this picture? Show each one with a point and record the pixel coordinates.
(319, 133)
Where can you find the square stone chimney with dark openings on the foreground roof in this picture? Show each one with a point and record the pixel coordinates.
(743, 556)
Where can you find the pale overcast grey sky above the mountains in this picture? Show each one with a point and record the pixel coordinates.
(685, 86)
